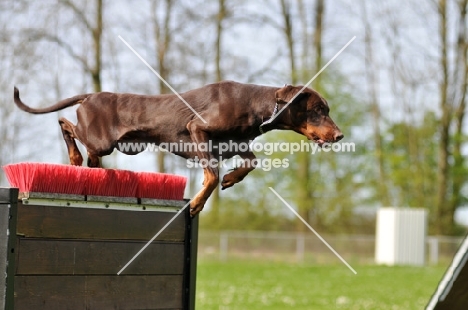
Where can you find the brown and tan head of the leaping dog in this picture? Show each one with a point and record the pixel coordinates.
(307, 114)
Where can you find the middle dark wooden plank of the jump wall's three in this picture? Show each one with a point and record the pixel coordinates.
(72, 257)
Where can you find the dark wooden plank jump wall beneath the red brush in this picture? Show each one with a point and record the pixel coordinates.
(64, 251)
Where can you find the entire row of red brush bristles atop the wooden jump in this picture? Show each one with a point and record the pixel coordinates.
(67, 179)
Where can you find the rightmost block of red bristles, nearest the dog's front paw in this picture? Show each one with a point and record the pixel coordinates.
(161, 186)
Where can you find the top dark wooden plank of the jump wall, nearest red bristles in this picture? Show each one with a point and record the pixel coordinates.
(85, 223)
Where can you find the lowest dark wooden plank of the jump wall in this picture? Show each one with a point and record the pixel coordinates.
(98, 292)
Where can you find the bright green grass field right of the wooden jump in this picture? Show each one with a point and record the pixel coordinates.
(257, 285)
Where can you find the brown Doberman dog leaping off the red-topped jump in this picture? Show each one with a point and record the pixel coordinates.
(229, 111)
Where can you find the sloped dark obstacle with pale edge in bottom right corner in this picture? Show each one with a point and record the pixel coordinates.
(452, 291)
